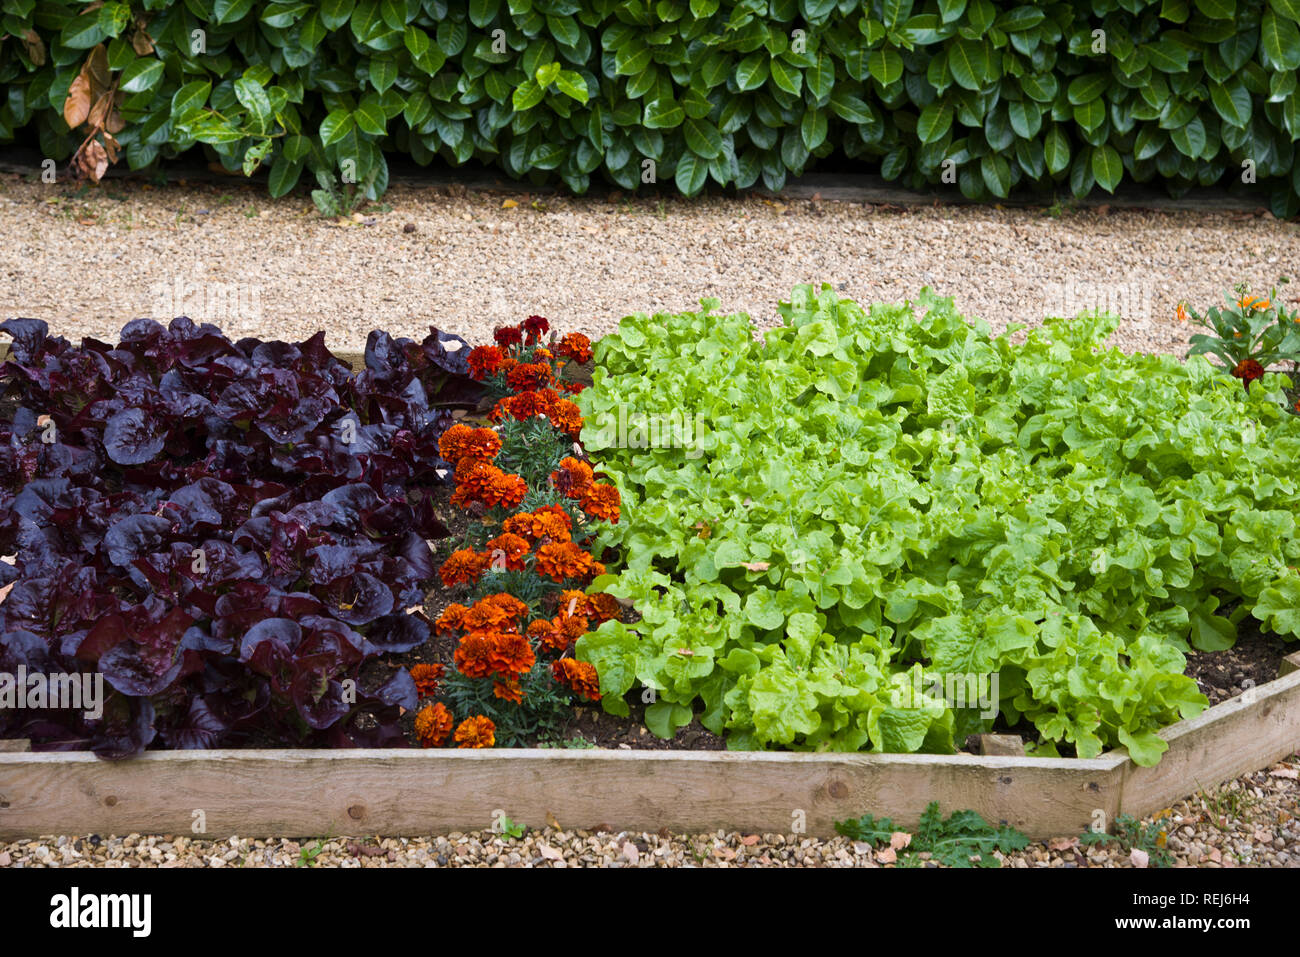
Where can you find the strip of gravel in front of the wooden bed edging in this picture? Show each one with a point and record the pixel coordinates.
(1254, 821)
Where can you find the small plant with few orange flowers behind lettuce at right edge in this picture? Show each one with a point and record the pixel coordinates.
(1249, 337)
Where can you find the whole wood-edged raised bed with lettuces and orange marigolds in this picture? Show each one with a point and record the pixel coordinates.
(734, 626)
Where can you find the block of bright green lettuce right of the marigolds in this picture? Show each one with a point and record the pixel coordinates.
(885, 529)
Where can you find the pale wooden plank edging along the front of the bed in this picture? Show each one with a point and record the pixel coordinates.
(398, 793)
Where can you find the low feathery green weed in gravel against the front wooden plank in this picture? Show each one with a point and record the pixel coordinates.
(963, 841)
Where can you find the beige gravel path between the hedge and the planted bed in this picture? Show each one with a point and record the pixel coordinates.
(88, 261)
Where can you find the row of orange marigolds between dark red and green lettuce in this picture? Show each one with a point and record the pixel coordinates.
(526, 560)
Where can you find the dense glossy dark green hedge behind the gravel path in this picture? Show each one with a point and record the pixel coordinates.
(1188, 92)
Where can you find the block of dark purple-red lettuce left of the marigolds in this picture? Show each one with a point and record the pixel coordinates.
(228, 532)
